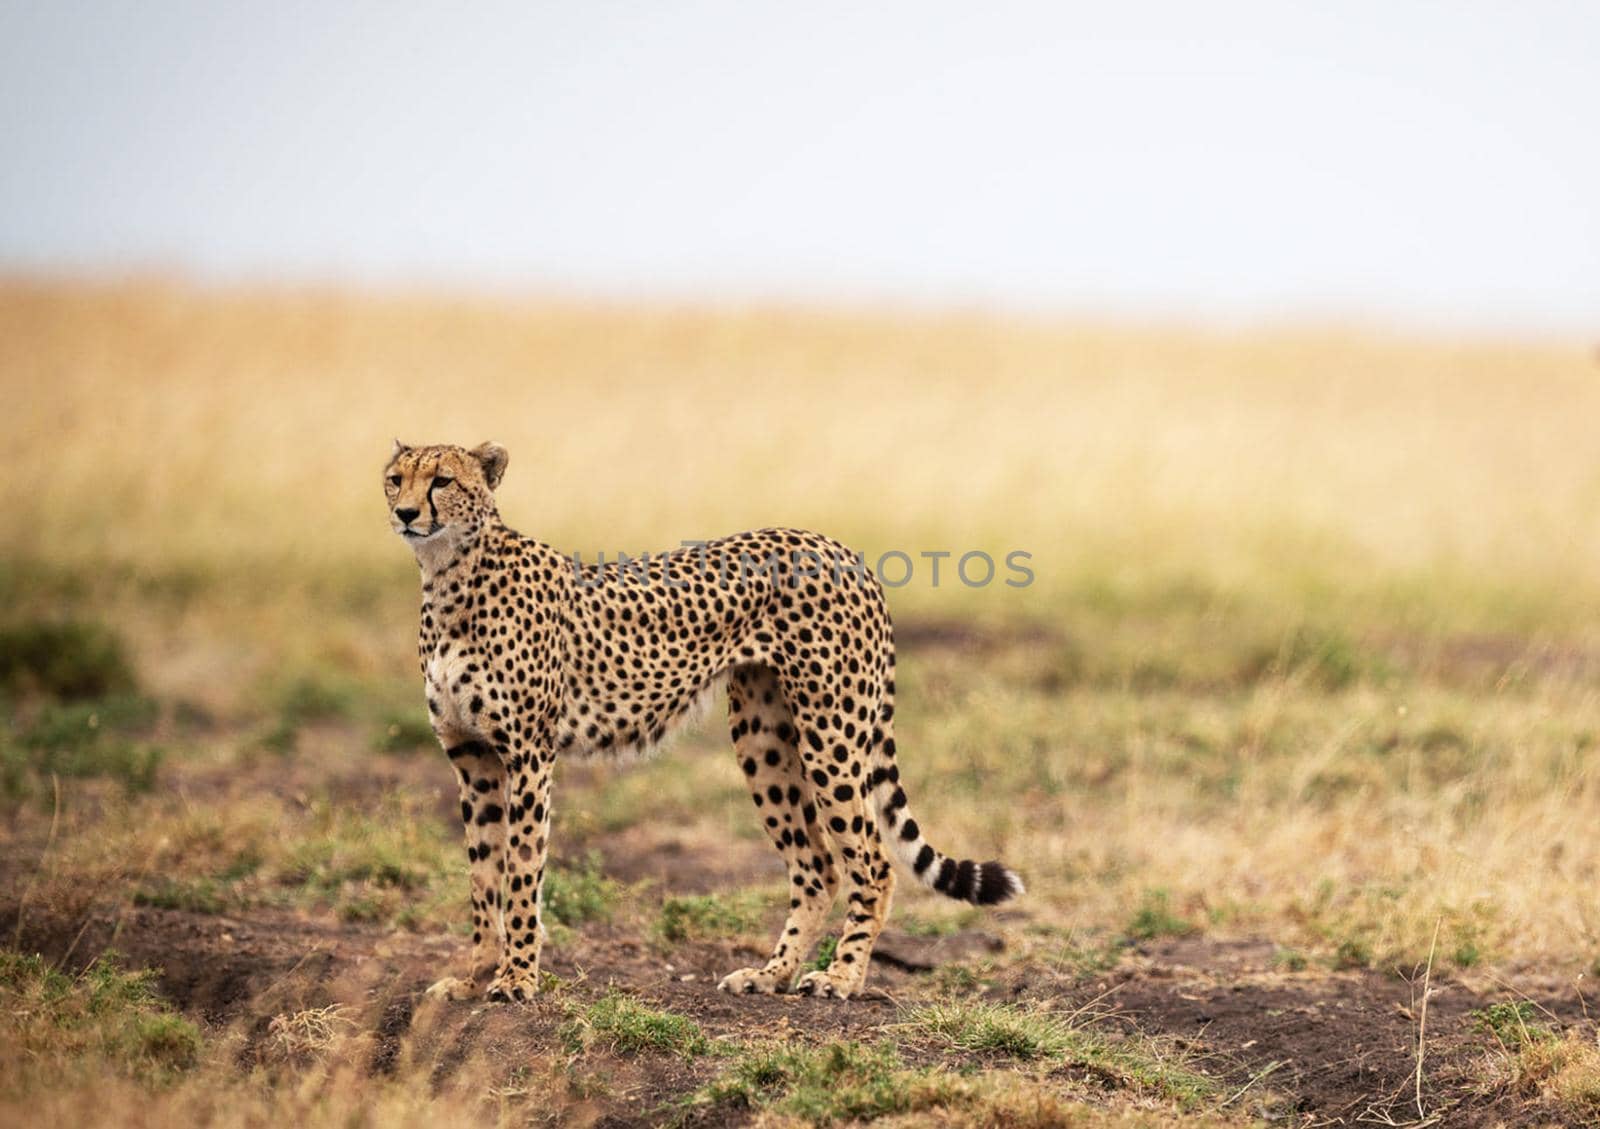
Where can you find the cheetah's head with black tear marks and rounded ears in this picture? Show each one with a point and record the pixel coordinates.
(441, 493)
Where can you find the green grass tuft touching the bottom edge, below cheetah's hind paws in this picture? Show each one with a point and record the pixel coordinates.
(830, 1085)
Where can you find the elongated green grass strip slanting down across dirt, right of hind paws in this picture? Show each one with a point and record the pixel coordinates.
(1028, 1035)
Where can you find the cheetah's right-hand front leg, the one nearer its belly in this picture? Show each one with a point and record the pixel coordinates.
(527, 844)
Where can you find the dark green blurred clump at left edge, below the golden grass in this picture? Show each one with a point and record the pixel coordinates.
(63, 660)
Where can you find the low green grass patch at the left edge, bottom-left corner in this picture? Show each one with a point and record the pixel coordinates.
(106, 1016)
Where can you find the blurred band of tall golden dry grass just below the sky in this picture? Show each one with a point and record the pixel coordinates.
(166, 426)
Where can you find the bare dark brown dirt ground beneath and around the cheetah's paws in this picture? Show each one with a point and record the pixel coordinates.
(1332, 1047)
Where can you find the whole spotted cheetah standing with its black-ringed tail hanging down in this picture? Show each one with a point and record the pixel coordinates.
(529, 655)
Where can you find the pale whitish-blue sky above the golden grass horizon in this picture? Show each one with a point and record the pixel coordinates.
(1409, 164)
